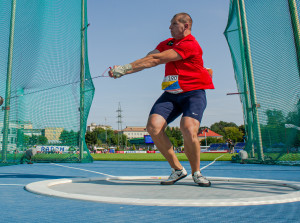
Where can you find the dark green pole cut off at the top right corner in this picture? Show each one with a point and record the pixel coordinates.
(296, 28)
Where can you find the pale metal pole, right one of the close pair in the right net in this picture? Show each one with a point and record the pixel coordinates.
(250, 74)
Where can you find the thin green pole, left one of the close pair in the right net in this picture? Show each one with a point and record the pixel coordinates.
(246, 84)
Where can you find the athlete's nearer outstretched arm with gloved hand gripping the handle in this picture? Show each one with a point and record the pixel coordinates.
(153, 59)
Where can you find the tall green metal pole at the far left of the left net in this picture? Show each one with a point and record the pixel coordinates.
(8, 82)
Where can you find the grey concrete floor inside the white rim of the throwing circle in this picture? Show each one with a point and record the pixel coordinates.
(185, 189)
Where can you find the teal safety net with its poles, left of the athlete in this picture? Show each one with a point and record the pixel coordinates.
(44, 80)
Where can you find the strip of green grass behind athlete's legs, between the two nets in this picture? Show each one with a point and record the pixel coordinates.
(156, 157)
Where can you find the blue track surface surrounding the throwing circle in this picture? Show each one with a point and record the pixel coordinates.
(18, 205)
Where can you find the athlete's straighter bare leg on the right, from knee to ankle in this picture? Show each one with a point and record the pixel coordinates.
(189, 128)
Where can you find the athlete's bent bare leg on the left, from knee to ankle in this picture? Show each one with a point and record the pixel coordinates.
(156, 127)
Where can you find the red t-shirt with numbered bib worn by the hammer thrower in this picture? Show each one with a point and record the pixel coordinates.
(187, 74)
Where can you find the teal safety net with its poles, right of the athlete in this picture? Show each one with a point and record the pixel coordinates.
(263, 37)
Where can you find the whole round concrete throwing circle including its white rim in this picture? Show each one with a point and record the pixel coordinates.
(147, 190)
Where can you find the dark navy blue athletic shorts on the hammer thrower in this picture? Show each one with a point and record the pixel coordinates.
(170, 106)
